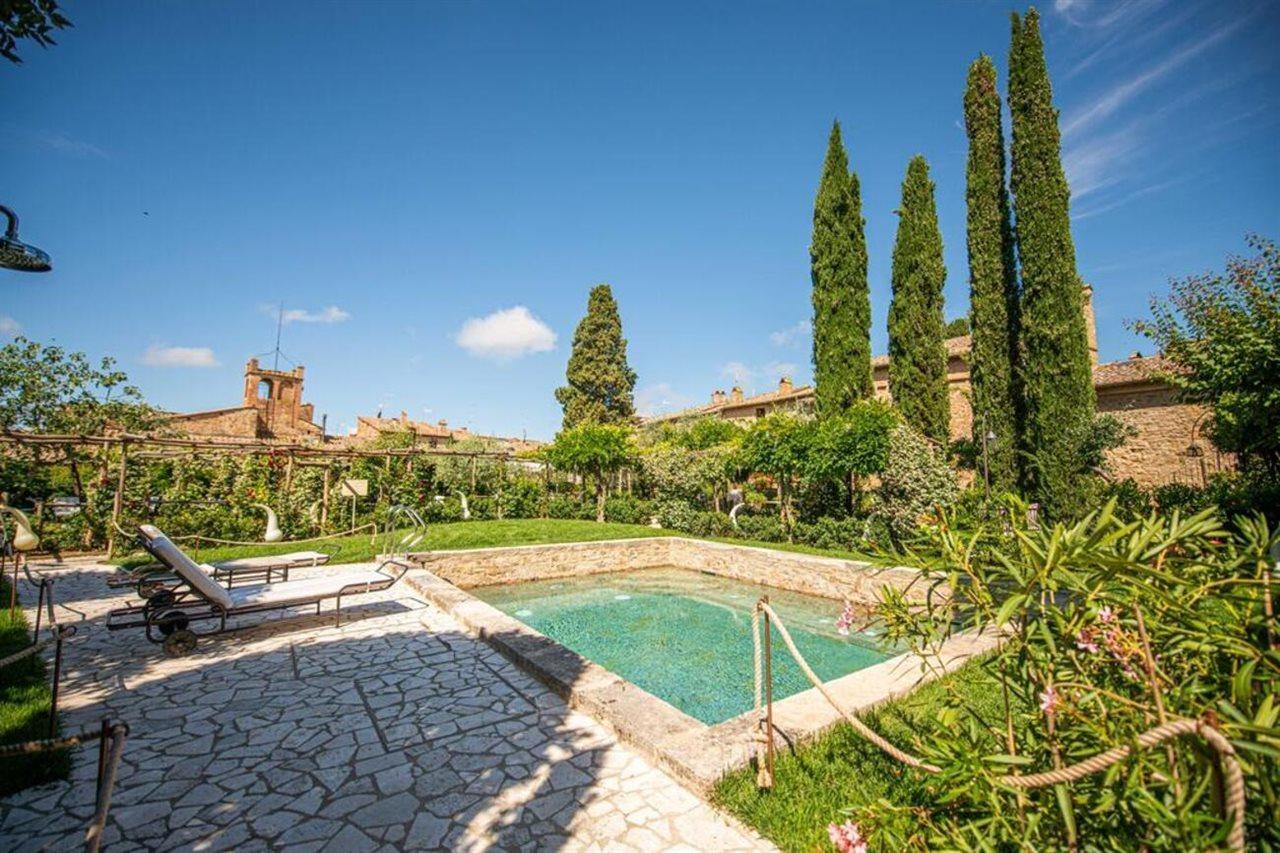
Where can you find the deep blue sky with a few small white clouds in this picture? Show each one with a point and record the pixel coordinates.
(432, 189)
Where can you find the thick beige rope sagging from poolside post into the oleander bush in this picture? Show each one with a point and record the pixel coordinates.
(1228, 761)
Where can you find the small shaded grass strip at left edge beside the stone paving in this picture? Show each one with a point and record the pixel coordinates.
(25, 701)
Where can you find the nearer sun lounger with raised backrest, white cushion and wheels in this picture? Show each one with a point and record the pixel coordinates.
(171, 615)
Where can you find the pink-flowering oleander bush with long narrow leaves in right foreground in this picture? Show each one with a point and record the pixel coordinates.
(1110, 628)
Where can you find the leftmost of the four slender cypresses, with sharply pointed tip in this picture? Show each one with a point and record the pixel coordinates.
(842, 297)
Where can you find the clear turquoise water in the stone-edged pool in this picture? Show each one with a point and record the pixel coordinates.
(685, 636)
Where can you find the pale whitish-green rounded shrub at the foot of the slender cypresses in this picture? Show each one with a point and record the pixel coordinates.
(916, 482)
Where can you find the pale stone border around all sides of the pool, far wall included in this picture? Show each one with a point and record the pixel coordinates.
(696, 754)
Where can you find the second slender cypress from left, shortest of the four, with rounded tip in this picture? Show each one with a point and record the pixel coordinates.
(917, 357)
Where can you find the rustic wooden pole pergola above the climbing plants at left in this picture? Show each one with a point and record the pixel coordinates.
(163, 448)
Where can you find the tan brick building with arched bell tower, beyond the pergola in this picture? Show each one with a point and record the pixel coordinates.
(272, 408)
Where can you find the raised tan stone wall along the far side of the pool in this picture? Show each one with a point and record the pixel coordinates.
(826, 577)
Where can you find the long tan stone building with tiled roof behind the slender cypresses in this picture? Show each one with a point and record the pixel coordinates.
(1168, 446)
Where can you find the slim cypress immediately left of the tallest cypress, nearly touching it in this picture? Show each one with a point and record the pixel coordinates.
(994, 311)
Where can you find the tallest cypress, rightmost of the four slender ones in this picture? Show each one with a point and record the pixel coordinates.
(1057, 373)
